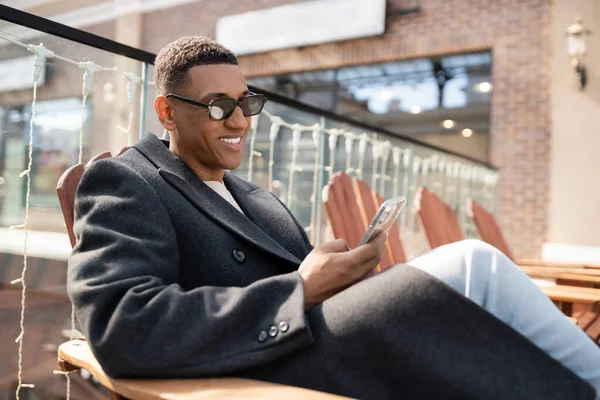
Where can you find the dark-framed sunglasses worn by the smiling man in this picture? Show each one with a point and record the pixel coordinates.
(221, 109)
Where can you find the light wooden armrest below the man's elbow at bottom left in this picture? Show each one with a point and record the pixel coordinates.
(77, 354)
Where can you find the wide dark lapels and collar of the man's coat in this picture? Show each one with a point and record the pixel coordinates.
(249, 197)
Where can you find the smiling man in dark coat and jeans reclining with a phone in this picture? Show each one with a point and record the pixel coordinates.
(184, 270)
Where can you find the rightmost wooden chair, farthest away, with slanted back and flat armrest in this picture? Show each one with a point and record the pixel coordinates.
(490, 232)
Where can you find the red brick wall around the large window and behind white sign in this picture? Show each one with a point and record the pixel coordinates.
(517, 31)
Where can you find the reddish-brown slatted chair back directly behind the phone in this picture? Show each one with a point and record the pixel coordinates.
(350, 206)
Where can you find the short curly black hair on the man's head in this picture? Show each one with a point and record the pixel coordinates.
(175, 59)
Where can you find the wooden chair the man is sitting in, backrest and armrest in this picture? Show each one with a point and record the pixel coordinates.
(76, 354)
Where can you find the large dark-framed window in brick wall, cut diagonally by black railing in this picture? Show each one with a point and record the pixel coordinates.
(444, 101)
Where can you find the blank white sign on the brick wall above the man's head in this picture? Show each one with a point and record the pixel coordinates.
(302, 24)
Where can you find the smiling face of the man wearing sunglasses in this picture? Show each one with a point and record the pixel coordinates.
(210, 146)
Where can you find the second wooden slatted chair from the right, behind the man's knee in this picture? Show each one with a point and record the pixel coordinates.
(441, 227)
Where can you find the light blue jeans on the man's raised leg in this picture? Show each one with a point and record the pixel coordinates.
(493, 281)
